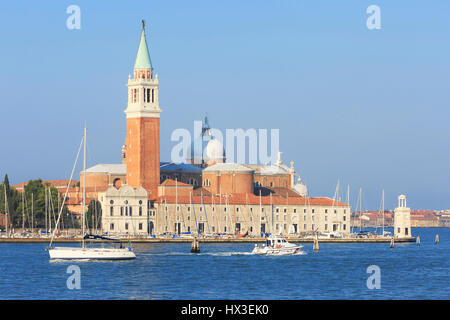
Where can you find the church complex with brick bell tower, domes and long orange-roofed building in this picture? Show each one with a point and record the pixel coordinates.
(143, 196)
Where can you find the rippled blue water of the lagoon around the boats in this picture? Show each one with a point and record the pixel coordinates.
(228, 271)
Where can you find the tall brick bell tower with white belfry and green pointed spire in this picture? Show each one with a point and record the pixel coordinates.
(141, 151)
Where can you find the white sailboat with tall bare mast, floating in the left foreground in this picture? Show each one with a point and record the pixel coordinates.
(83, 252)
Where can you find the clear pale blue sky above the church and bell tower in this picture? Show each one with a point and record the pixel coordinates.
(369, 108)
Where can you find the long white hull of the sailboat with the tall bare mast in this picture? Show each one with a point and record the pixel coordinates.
(66, 253)
